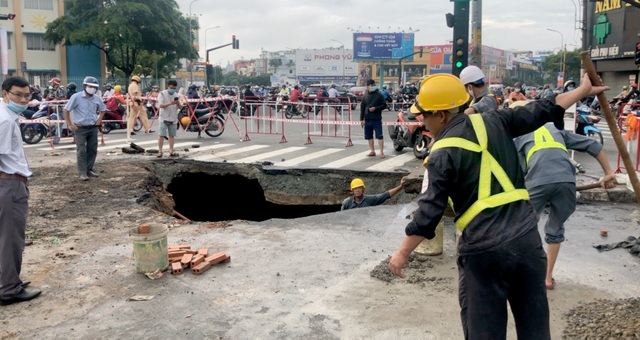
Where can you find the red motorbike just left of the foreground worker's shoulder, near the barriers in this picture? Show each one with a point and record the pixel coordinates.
(410, 136)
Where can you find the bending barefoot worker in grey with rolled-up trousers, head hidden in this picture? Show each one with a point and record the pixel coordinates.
(550, 179)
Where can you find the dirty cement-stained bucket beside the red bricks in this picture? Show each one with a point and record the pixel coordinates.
(150, 250)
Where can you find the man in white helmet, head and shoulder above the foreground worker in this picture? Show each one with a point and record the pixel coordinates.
(473, 79)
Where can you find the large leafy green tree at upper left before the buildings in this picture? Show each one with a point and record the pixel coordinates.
(127, 31)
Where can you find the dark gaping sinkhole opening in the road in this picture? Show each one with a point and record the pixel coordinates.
(207, 197)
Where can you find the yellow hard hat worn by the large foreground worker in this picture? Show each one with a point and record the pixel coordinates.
(440, 91)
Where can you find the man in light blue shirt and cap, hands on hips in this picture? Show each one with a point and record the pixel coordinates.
(88, 110)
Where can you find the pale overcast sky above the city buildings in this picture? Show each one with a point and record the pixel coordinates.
(275, 25)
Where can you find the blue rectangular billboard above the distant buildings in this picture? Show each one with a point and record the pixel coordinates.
(383, 46)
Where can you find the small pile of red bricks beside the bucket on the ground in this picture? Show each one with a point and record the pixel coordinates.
(182, 256)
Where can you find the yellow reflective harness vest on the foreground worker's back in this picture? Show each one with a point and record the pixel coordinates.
(488, 166)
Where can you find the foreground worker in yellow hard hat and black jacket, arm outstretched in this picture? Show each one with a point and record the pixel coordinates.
(474, 164)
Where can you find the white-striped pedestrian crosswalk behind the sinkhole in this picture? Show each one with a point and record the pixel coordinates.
(318, 155)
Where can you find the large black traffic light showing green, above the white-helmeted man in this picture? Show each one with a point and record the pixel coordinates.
(460, 57)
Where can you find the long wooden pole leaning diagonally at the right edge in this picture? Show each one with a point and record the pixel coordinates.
(611, 122)
